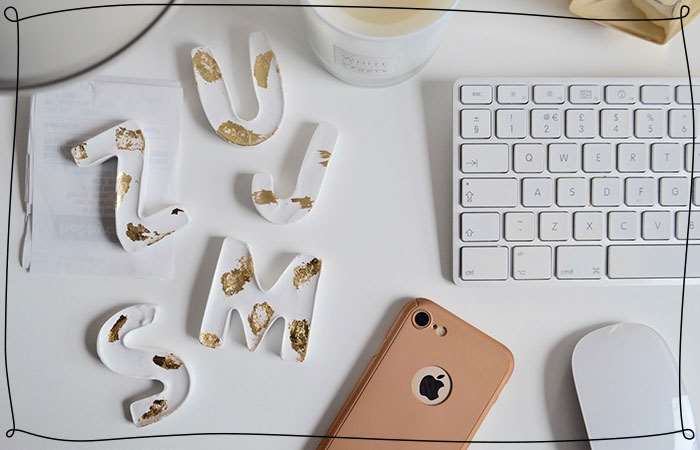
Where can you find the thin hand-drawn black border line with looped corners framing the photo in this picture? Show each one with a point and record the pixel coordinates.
(687, 433)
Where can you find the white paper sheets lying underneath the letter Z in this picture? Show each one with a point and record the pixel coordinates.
(70, 211)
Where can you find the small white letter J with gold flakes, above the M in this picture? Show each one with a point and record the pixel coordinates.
(313, 170)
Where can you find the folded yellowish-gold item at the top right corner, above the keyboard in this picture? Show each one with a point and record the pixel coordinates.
(659, 31)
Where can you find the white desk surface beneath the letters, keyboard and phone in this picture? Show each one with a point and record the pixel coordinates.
(382, 228)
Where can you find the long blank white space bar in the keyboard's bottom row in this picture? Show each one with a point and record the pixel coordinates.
(652, 261)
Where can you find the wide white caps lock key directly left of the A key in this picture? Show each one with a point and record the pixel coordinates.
(492, 192)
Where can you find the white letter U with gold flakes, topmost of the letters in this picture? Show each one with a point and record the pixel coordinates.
(216, 100)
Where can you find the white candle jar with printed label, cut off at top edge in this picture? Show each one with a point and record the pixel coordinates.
(375, 47)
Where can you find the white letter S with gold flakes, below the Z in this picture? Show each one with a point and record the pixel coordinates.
(149, 364)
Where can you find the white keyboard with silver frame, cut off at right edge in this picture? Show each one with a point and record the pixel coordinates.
(582, 179)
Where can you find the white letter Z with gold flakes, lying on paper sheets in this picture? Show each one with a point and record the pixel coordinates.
(129, 144)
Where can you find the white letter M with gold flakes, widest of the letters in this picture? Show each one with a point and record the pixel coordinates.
(235, 287)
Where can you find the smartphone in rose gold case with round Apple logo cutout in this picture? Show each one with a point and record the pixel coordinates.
(435, 378)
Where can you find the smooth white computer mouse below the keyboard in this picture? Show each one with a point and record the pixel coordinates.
(627, 384)
